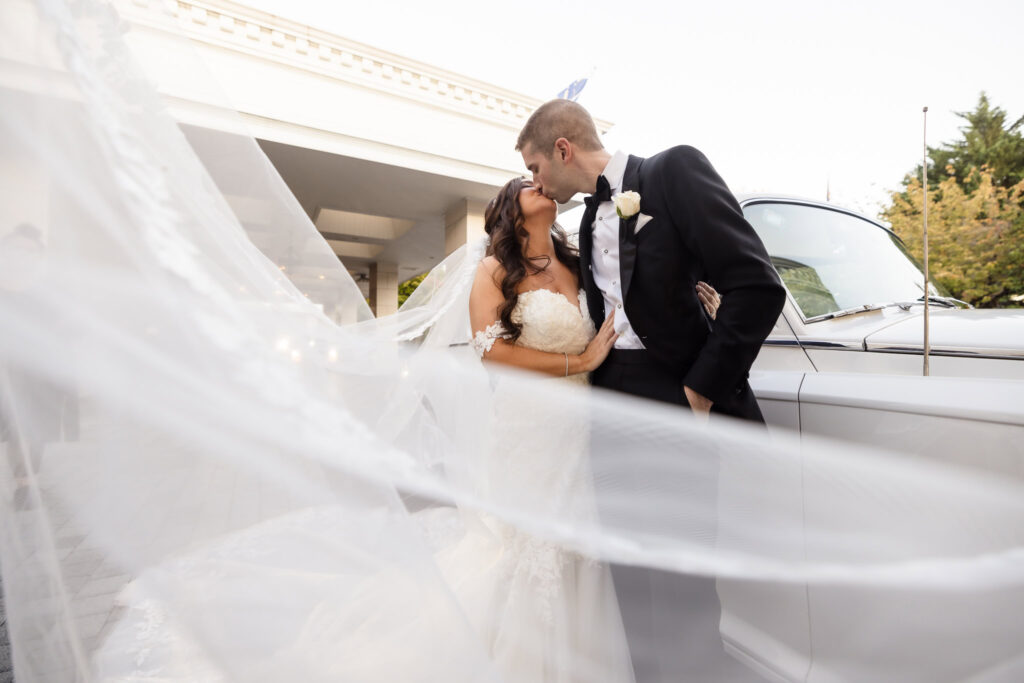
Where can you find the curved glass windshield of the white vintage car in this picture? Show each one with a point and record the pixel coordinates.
(832, 262)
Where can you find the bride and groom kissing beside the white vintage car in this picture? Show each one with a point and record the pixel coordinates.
(629, 312)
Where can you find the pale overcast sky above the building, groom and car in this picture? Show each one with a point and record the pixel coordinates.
(783, 97)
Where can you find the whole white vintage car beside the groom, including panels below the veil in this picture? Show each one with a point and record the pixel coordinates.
(846, 361)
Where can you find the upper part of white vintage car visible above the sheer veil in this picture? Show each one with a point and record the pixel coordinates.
(846, 357)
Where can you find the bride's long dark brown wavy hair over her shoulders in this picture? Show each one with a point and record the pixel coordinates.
(503, 221)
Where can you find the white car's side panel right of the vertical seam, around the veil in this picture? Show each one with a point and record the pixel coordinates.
(971, 423)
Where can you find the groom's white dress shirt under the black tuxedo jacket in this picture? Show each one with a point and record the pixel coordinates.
(606, 258)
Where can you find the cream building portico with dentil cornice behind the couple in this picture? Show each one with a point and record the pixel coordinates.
(393, 160)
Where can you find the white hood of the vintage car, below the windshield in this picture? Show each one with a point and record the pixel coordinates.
(974, 332)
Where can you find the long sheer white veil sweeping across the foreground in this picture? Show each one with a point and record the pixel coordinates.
(183, 416)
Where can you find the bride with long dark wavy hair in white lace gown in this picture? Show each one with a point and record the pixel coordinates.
(528, 311)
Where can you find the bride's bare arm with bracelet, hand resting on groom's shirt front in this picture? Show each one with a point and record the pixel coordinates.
(485, 304)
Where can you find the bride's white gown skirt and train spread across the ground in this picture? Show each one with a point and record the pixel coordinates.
(538, 613)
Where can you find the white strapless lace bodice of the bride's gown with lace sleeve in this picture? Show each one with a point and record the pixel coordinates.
(550, 323)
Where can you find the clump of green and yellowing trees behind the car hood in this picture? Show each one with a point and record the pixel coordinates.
(975, 210)
